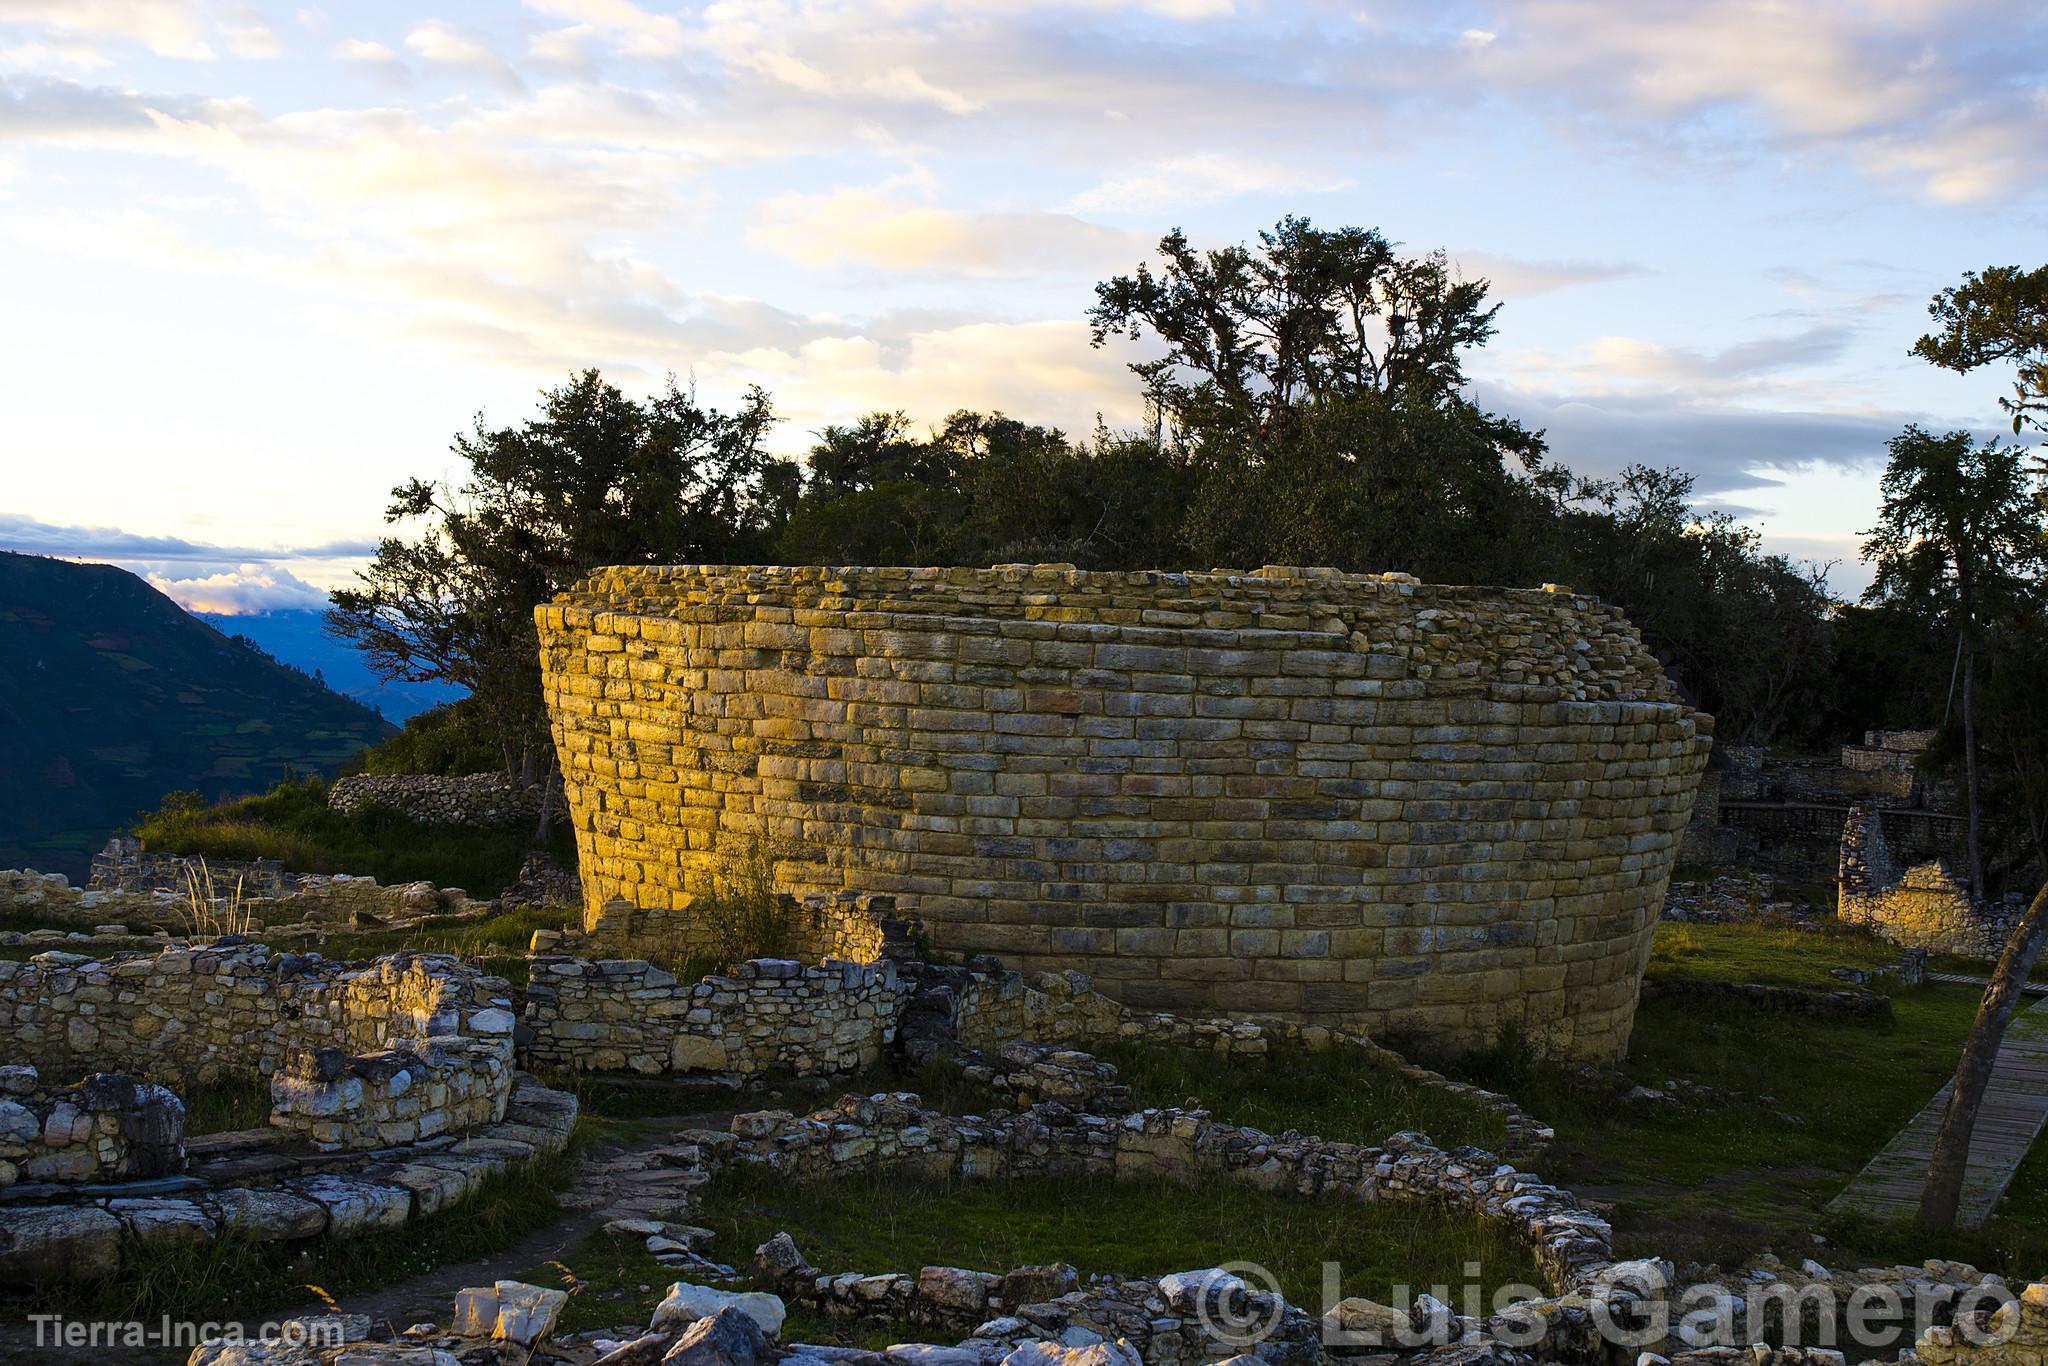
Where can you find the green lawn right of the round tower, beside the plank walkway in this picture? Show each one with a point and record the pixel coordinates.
(1803, 1107)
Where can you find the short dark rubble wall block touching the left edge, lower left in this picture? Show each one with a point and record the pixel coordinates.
(103, 1129)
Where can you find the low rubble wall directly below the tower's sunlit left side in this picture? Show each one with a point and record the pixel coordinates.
(769, 1015)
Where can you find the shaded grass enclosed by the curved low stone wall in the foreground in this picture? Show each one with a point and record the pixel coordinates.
(896, 1222)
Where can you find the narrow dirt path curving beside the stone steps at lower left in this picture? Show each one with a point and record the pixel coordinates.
(613, 1181)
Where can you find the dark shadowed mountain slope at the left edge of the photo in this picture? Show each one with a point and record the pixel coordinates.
(112, 695)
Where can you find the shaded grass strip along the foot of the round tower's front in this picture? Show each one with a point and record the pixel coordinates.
(1328, 1093)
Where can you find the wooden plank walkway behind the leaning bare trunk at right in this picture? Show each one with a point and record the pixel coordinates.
(2012, 1117)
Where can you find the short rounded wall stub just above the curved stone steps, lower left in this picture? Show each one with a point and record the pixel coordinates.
(388, 1099)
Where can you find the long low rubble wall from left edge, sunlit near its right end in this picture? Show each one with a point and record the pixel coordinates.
(198, 1013)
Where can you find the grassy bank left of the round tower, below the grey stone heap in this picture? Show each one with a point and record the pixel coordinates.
(294, 824)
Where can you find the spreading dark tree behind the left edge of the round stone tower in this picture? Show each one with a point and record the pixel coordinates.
(595, 480)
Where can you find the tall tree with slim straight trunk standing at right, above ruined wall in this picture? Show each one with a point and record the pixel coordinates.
(1959, 536)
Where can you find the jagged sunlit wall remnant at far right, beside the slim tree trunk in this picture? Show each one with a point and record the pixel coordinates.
(1922, 906)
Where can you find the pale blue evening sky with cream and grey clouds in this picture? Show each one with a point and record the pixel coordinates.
(259, 263)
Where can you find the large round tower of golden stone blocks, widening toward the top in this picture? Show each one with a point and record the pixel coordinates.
(1342, 800)
